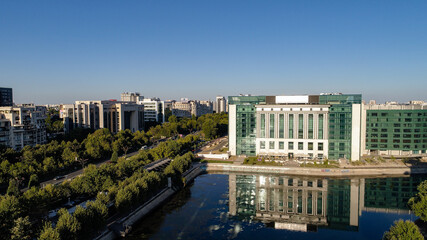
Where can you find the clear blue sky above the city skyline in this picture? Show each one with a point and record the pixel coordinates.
(62, 51)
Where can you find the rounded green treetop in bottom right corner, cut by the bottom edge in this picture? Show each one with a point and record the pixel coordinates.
(403, 230)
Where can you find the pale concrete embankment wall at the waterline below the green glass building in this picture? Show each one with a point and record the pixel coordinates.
(331, 172)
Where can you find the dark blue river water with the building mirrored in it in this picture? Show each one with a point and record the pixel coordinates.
(234, 206)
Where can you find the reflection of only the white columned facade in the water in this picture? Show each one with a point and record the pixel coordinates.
(291, 202)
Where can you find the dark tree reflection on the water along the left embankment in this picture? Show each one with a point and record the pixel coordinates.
(151, 224)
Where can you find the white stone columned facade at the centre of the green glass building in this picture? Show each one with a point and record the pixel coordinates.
(284, 138)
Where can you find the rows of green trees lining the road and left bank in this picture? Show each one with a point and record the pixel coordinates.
(115, 187)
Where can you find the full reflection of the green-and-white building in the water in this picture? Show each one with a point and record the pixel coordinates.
(304, 204)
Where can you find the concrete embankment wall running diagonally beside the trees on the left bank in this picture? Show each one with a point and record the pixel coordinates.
(150, 205)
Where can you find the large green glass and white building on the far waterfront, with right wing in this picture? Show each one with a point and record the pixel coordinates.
(334, 126)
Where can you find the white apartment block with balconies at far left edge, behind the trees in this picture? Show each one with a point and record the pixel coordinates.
(22, 125)
